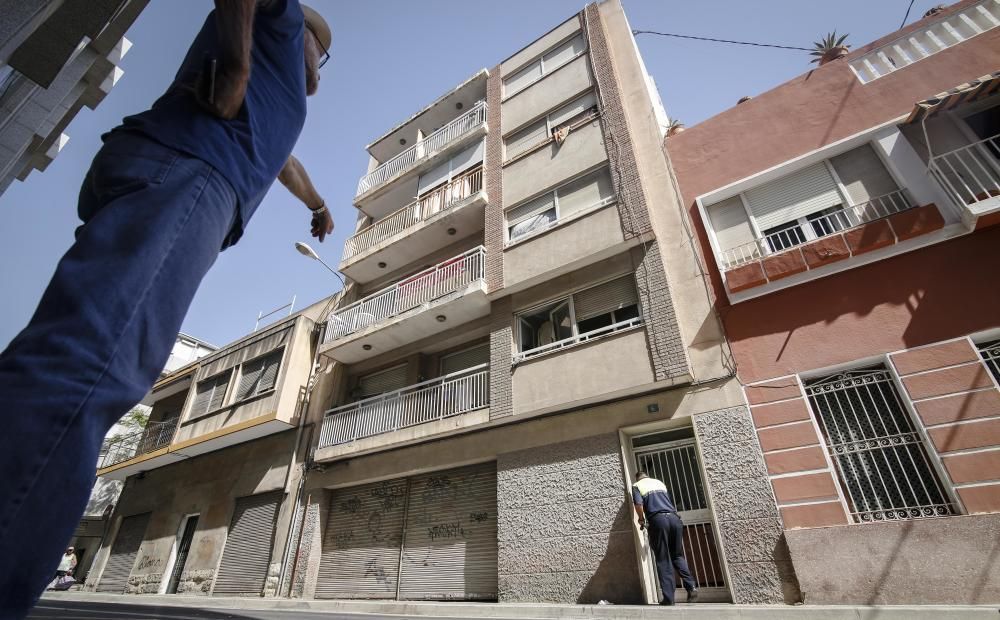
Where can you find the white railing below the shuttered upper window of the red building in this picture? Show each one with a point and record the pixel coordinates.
(837, 221)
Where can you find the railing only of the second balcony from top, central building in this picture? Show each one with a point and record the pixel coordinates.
(441, 199)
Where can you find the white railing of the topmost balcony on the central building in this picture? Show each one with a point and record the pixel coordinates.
(459, 131)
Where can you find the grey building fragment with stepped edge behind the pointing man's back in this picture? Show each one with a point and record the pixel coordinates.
(55, 58)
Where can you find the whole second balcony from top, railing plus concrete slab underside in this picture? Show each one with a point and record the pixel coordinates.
(417, 229)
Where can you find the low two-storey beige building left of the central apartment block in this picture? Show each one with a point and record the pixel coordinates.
(210, 482)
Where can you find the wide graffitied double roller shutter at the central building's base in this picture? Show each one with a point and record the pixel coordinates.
(428, 537)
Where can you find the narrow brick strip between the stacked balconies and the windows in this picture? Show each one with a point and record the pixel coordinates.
(493, 182)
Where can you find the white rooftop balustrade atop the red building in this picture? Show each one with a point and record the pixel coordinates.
(930, 39)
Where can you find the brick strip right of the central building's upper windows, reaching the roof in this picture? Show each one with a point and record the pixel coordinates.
(624, 171)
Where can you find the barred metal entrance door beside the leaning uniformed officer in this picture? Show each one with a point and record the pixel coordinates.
(676, 464)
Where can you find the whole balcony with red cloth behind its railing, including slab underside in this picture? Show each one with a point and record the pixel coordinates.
(399, 314)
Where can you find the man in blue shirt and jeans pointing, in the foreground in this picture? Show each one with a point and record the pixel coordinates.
(170, 187)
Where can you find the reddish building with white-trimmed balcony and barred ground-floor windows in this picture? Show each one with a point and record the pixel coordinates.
(848, 219)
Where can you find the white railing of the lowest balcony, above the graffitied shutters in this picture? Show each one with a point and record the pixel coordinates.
(458, 392)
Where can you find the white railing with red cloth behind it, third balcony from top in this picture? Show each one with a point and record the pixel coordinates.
(447, 277)
